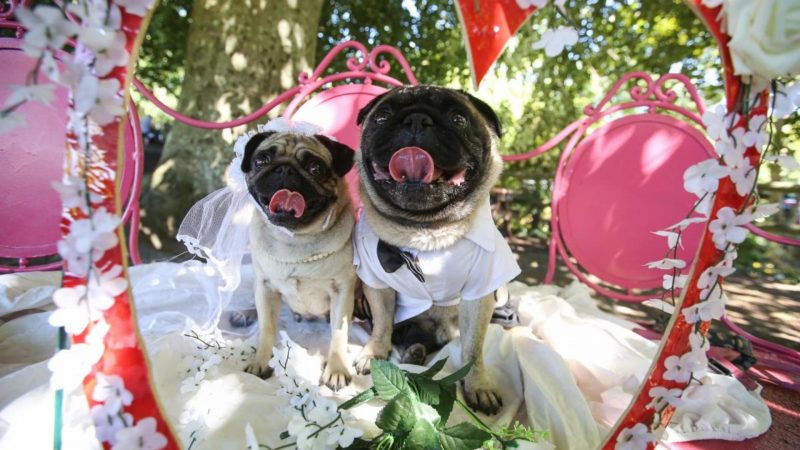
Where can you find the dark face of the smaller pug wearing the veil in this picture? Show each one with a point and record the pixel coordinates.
(294, 178)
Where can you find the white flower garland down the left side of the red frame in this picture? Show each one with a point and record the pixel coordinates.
(100, 48)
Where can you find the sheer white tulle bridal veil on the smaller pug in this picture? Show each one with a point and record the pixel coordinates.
(216, 228)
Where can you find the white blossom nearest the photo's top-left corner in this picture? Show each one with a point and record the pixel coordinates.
(46, 27)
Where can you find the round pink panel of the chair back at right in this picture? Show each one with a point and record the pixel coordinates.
(622, 183)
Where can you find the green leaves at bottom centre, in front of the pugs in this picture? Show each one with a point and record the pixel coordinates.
(417, 409)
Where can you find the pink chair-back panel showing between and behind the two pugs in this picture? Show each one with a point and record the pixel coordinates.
(336, 110)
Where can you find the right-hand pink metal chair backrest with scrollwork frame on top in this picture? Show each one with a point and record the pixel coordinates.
(620, 179)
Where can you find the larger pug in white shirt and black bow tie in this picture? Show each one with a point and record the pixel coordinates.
(427, 251)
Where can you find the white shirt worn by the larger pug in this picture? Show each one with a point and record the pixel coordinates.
(473, 267)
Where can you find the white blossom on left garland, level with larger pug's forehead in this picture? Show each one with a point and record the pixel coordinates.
(99, 99)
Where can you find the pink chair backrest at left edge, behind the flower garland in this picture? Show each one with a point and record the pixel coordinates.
(31, 159)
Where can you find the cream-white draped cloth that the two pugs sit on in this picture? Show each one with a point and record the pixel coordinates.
(568, 369)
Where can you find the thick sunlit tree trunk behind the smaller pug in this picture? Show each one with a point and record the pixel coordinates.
(240, 54)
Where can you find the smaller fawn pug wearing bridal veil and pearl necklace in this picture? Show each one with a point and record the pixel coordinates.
(301, 240)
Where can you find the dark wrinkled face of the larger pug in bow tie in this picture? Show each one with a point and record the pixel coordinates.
(425, 147)
